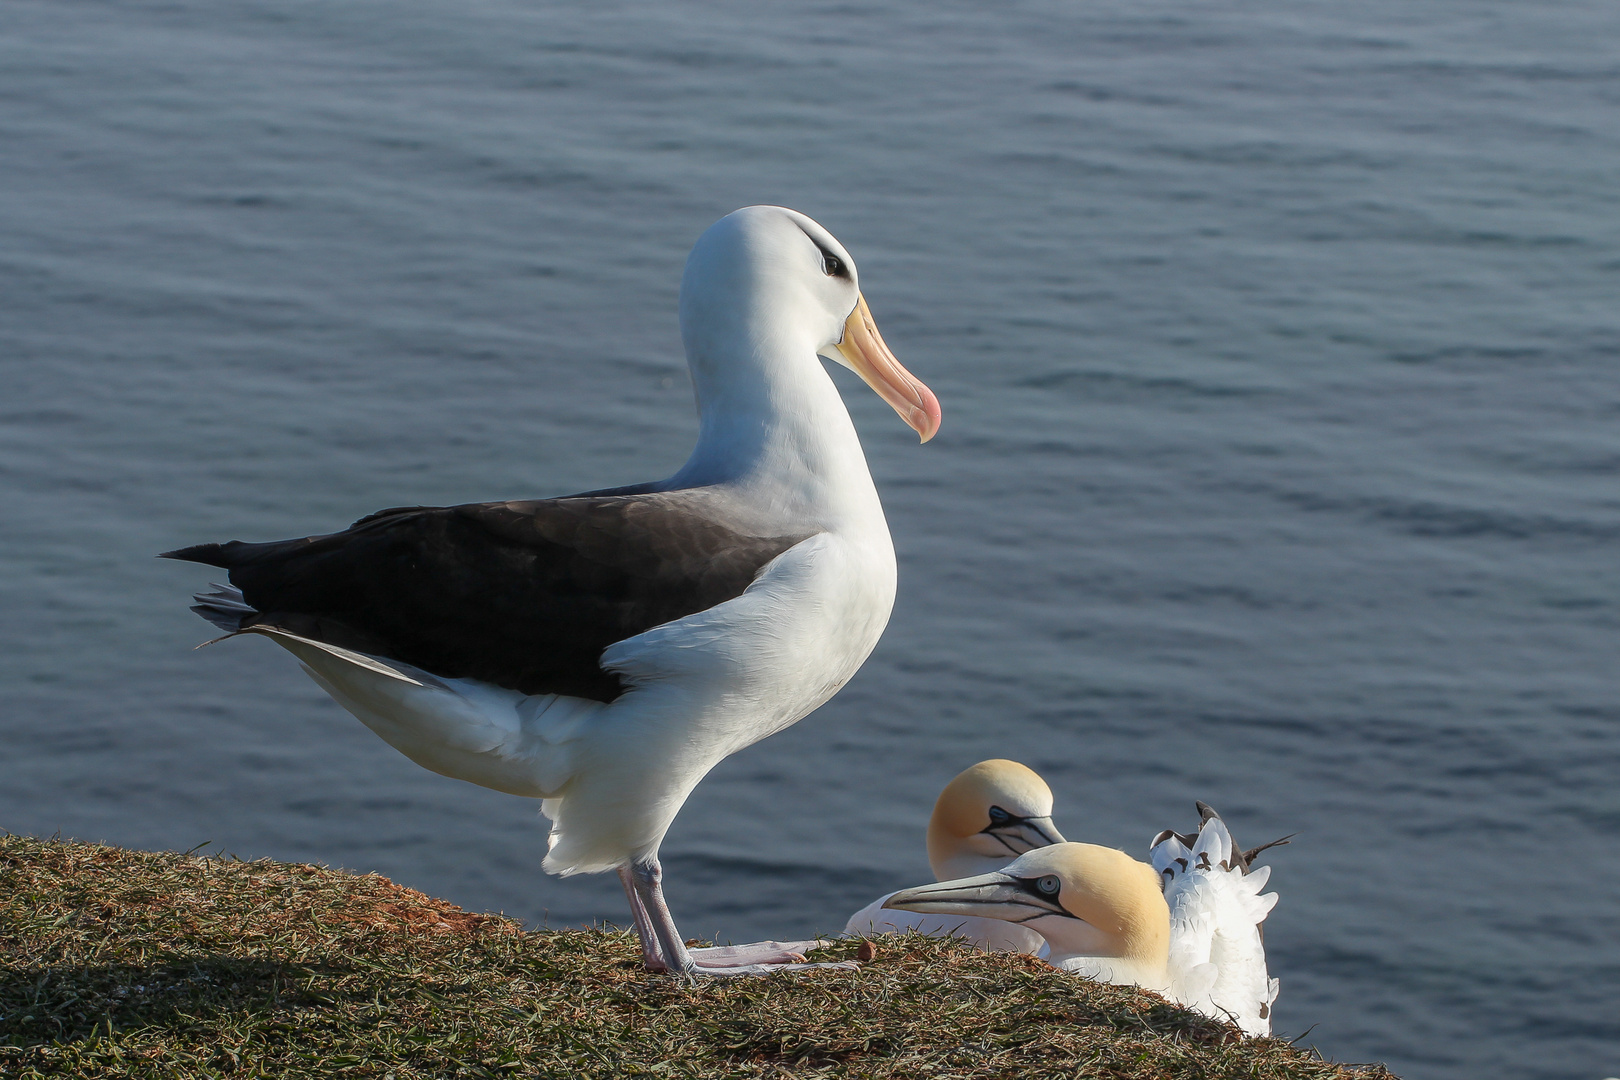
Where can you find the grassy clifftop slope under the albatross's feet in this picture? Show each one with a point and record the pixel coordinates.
(135, 964)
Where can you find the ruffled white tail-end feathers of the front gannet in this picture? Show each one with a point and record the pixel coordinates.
(1217, 956)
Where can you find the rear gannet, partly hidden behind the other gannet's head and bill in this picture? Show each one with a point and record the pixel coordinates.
(986, 817)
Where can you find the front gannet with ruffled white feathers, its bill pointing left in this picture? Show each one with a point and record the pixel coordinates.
(1107, 917)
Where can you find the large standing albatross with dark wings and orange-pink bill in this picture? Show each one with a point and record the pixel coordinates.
(603, 652)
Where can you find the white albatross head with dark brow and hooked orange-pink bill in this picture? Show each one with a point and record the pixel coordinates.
(764, 294)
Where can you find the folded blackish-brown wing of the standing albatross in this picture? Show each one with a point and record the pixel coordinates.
(524, 595)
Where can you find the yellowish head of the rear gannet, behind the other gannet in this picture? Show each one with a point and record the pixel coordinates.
(989, 815)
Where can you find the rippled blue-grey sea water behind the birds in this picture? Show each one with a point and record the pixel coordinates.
(1279, 347)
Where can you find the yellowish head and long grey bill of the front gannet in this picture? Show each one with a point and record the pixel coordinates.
(1086, 901)
